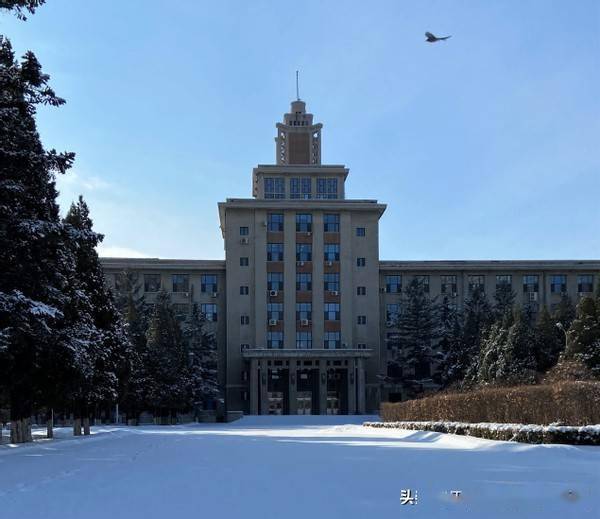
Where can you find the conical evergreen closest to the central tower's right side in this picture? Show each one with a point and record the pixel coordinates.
(417, 328)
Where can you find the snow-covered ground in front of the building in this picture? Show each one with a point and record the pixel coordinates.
(292, 467)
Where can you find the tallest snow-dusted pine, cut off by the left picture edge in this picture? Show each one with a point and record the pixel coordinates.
(40, 321)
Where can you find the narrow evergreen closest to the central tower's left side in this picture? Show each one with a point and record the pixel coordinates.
(202, 347)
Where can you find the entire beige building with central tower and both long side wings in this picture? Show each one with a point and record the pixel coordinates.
(302, 306)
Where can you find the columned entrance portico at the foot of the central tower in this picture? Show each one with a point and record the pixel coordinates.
(306, 381)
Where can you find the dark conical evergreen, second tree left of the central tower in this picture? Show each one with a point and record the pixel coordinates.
(168, 377)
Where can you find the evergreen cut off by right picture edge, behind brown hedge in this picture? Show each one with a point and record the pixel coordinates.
(583, 337)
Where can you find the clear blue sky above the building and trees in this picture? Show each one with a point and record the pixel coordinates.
(486, 146)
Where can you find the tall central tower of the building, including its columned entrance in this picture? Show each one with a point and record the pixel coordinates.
(302, 267)
